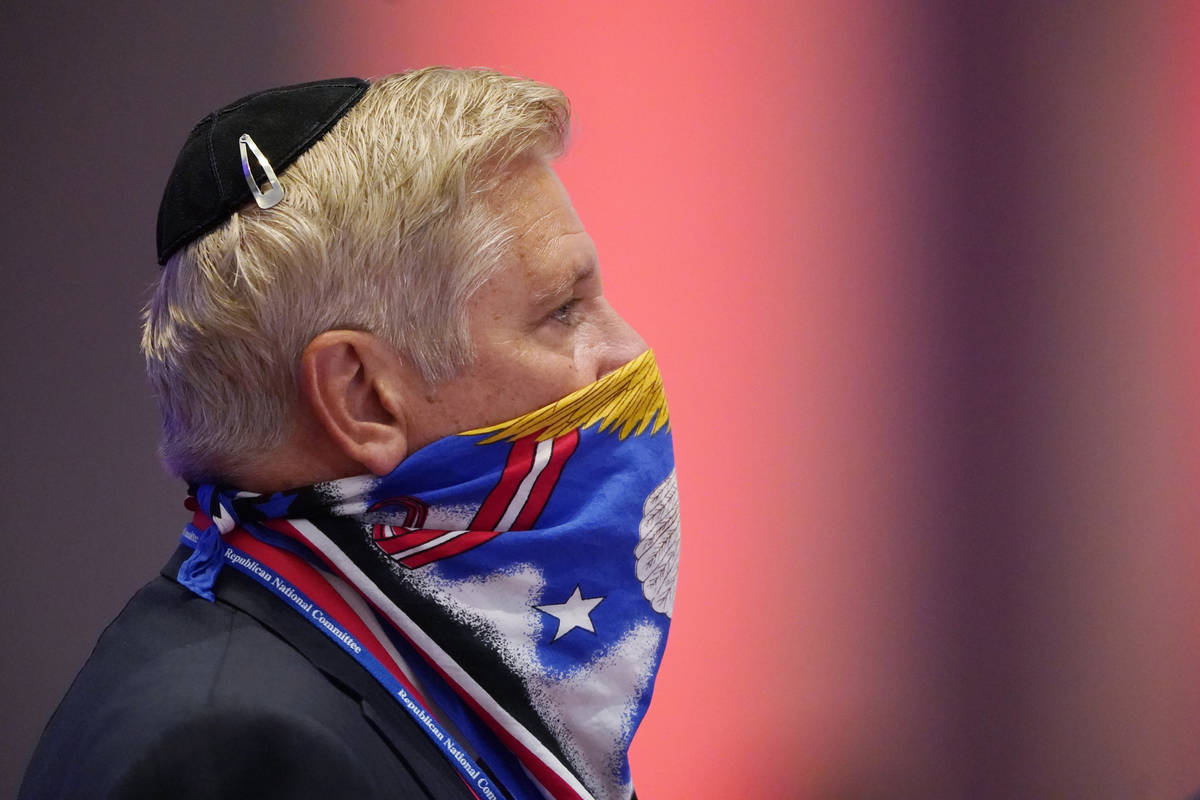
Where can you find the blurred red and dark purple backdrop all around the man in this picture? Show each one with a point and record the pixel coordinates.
(922, 281)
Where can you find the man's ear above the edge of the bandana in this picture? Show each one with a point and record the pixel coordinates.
(353, 386)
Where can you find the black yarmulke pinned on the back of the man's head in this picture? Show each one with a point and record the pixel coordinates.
(208, 185)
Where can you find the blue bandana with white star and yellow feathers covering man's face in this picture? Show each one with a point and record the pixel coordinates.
(525, 572)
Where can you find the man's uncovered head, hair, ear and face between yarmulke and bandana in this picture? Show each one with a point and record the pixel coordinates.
(424, 274)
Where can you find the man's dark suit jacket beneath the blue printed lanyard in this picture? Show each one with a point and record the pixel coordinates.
(184, 699)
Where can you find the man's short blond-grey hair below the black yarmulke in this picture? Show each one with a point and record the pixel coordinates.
(385, 228)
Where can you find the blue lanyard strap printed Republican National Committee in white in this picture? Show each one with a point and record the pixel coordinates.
(476, 778)
